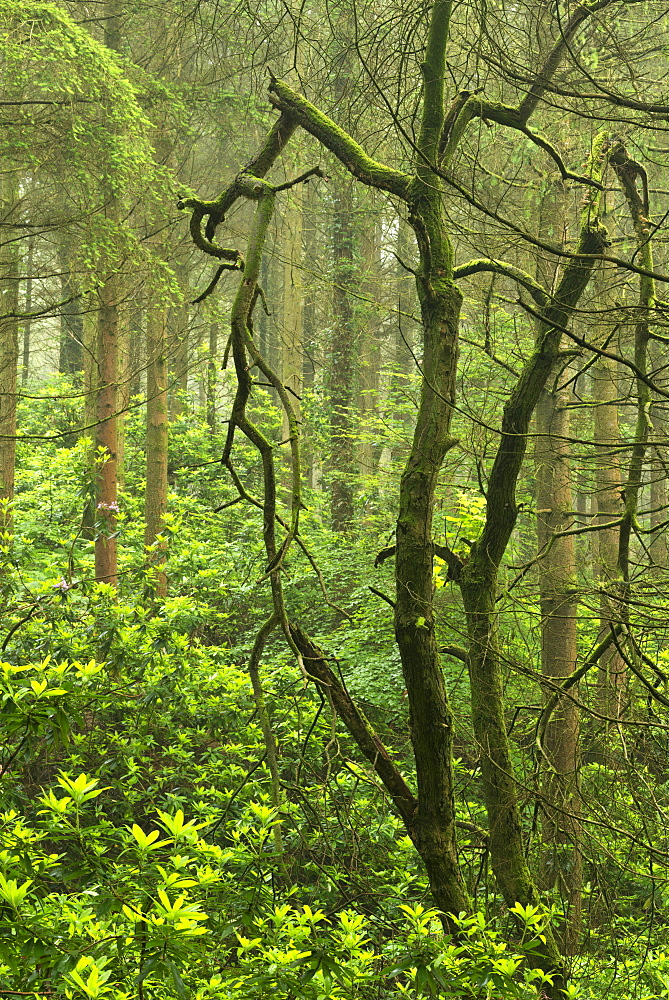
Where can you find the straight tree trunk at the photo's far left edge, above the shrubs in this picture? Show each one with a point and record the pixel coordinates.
(9, 348)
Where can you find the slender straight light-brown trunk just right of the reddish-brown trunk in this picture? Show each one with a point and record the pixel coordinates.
(157, 424)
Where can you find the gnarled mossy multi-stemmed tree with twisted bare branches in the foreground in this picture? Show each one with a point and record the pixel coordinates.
(424, 191)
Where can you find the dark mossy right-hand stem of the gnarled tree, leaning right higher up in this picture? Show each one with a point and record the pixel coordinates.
(478, 582)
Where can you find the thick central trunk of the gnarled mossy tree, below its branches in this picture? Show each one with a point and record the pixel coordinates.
(430, 715)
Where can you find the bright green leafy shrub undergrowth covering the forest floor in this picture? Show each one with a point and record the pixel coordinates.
(142, 853)
